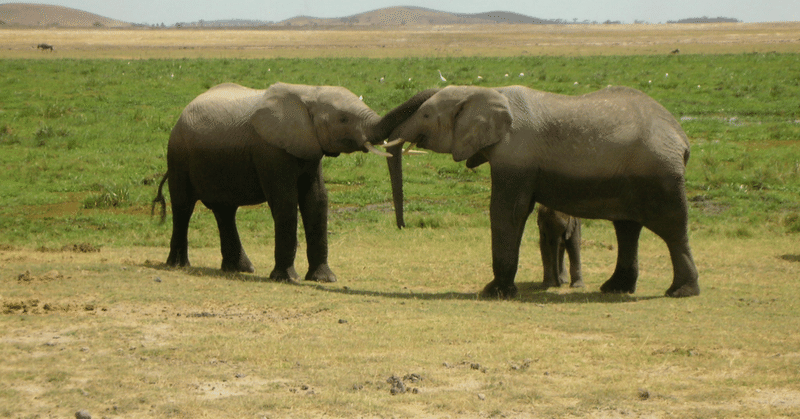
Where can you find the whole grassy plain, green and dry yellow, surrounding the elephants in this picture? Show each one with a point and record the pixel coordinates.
(92, 318)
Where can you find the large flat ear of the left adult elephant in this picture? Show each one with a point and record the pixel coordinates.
(284, 121)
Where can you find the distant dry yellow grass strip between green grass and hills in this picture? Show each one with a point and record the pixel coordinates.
(467, 40)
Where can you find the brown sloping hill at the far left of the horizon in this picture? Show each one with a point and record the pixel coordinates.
(27, 14)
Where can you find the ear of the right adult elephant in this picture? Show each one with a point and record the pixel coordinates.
(482, 119)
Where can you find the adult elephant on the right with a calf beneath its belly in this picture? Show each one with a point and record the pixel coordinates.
(614, 154)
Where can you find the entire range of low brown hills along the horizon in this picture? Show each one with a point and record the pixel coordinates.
(38, 15)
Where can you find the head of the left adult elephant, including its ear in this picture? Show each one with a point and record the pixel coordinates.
(312, 121)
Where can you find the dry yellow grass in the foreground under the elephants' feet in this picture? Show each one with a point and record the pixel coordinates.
(117, 334)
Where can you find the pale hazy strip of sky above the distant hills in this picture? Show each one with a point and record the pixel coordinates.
(652, 11)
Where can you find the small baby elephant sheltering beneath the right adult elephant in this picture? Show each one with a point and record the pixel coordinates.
(559, 233)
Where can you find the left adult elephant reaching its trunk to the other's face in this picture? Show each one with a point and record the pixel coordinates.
(235, 146)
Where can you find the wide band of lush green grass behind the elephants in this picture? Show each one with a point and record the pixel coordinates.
(95, 132)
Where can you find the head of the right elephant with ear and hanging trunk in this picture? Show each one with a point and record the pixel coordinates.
(459, 120)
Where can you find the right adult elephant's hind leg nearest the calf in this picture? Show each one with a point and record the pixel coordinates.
(627, 271)
